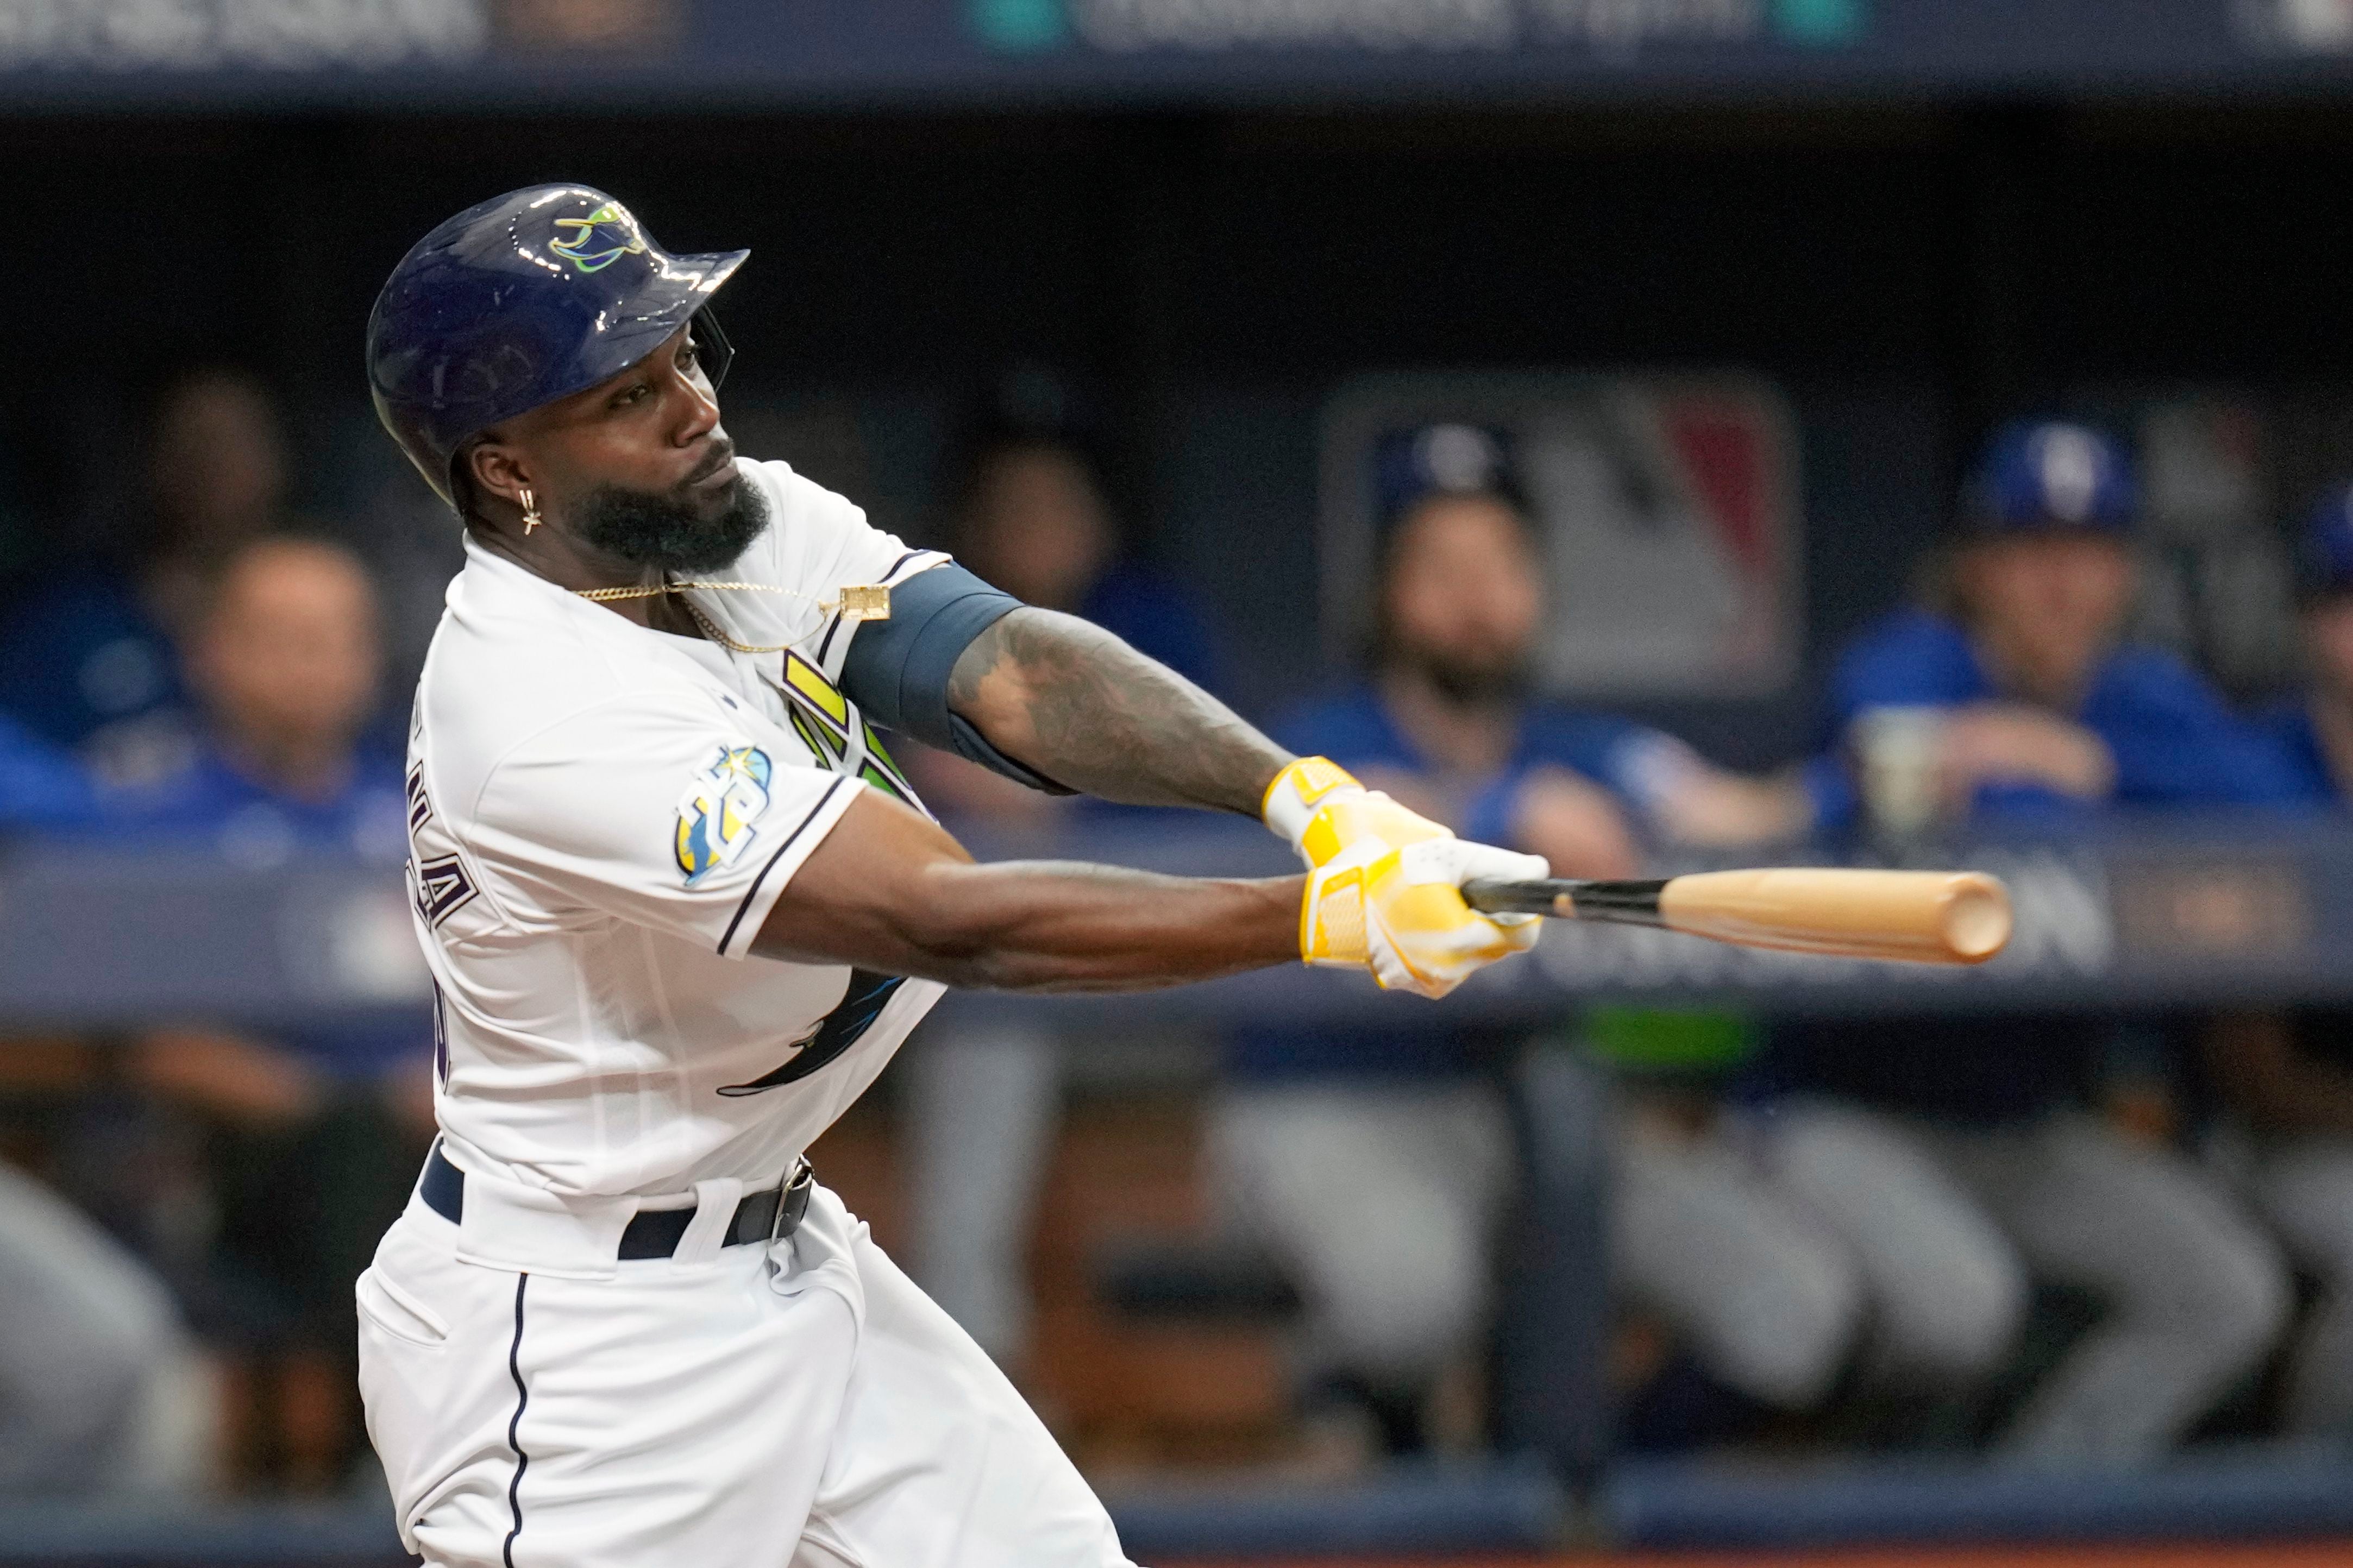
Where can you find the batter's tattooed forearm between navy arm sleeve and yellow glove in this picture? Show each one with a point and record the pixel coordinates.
(1091, 713)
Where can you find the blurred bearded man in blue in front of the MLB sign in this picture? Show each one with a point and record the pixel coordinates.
(1378, 1165)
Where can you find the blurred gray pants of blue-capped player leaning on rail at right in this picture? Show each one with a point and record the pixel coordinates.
(1947, 1226)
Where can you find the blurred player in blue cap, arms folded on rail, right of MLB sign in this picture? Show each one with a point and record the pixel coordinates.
(1966, 1160)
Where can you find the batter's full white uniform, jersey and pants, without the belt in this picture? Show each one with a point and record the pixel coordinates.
(601, 817)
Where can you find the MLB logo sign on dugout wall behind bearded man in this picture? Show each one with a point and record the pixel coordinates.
(1667, 507)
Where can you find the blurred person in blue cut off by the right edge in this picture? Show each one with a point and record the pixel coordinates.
(2288, 1078)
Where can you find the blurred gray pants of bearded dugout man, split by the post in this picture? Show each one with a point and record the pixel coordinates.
(1385, 1202)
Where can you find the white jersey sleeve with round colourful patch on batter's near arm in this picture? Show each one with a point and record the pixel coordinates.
(672, 815)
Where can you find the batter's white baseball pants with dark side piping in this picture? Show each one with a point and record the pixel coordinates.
(782, 1407)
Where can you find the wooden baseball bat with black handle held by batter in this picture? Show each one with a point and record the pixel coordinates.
(1926, 918)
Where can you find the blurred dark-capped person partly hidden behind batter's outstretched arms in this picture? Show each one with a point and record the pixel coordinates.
(982, 1101)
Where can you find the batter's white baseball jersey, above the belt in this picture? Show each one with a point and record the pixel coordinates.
(601, 817)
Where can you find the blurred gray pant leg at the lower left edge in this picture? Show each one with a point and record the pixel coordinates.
(98, 1386)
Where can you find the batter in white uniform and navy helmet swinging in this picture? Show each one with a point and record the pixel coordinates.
(681, 909)
